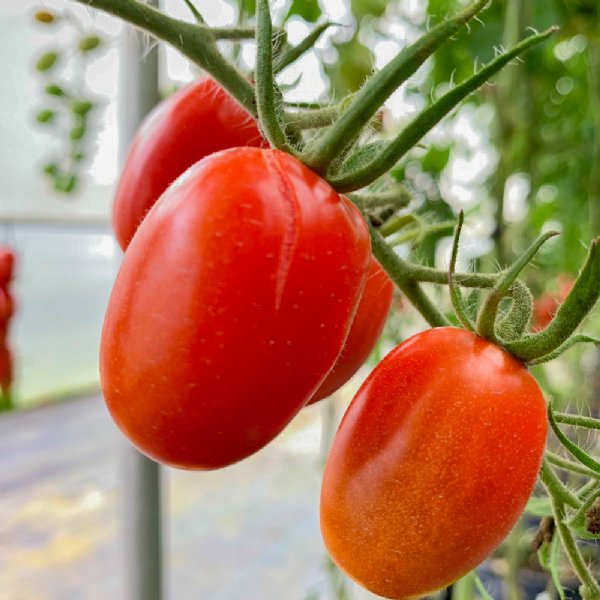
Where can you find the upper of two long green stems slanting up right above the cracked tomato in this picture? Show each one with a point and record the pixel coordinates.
(379, 88)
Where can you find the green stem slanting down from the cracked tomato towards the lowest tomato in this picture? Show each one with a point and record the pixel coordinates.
(398, 270)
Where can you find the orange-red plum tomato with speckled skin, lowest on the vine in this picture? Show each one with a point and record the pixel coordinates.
(432, 464)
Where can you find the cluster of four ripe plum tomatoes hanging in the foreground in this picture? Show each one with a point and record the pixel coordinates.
(247, 291)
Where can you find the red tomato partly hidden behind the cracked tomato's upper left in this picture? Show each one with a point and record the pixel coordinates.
(196, 121)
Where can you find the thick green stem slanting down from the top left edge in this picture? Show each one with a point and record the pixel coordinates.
(194, 42)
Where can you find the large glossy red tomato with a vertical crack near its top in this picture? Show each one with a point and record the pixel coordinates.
(232, 304)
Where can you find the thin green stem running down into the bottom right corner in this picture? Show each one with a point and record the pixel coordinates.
(555, 490)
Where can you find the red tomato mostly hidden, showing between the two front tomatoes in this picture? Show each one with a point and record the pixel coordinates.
(368, 323)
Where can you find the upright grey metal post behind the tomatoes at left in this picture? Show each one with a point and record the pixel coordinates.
(138, 93)
